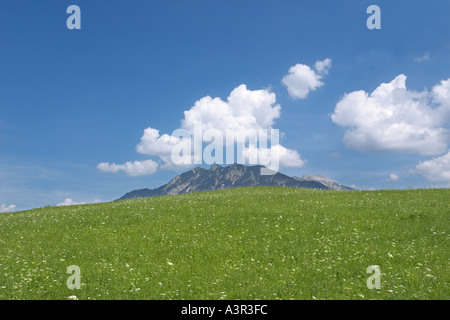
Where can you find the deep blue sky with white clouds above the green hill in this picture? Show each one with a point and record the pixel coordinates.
(72, 99)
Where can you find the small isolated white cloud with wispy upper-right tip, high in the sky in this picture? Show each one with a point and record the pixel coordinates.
(301, 79)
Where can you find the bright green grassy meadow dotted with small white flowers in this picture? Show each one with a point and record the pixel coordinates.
(245, 243)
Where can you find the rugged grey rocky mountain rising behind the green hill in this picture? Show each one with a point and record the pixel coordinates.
(217, 177)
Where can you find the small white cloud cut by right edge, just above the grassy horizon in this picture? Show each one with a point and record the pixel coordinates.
(436, 169)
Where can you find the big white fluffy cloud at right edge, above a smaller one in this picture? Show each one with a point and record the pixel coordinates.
(395, 119)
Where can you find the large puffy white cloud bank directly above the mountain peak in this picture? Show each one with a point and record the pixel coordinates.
(243, 113)
